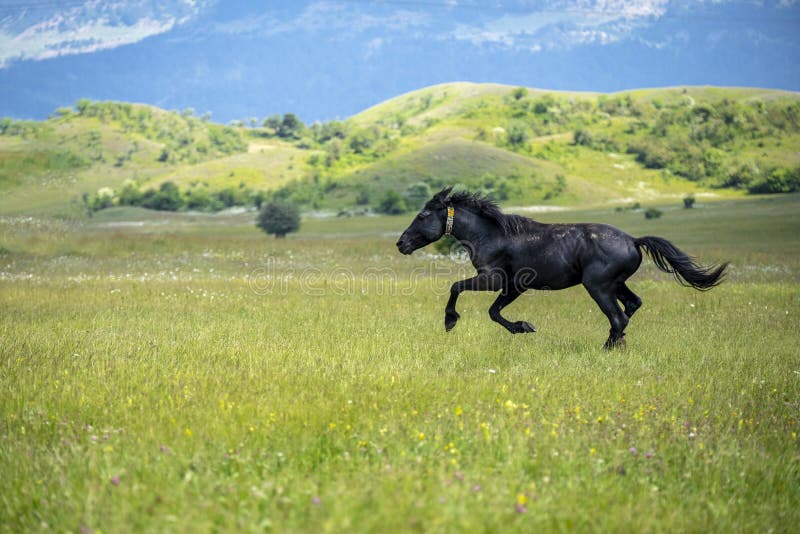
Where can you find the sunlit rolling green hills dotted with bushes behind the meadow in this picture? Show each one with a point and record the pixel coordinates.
(522, 146)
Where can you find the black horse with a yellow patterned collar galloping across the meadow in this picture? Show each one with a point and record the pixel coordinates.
(513, 254)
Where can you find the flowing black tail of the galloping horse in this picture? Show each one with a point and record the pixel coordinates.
(670, 259)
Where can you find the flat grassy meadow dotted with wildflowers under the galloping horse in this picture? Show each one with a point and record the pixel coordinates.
(177, 372)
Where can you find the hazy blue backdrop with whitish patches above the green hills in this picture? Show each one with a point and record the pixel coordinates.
(330, 59)
